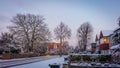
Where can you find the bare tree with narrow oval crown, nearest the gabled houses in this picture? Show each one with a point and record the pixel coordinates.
(84, 34)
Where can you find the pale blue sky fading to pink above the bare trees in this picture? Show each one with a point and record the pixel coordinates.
(102, 14)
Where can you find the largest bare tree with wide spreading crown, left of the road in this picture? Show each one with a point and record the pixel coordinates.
(29, 29)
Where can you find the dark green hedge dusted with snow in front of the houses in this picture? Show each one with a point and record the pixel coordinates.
(90, 58)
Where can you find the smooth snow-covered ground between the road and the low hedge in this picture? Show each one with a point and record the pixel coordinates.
(42, 64)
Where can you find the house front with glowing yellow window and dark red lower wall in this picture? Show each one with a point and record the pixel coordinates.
(102, 43)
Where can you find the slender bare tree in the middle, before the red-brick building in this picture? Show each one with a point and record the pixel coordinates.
(62, 32)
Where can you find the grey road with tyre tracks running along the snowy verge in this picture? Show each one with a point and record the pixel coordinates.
(22, 61)
